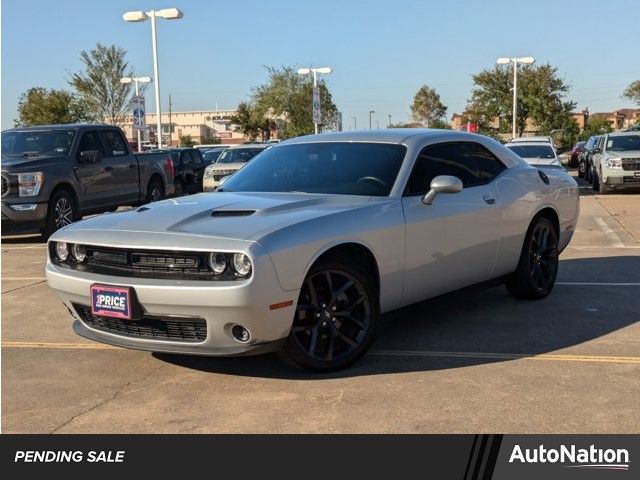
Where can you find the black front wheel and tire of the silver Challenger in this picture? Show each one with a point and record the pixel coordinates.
(336, 317)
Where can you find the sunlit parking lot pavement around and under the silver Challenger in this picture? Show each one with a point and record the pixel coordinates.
(467, 362)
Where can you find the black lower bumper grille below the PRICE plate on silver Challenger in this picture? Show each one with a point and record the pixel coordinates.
(185, 329)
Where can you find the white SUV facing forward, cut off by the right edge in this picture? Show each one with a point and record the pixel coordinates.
(616, 162)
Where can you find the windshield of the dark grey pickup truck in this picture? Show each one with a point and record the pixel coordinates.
(33, 143)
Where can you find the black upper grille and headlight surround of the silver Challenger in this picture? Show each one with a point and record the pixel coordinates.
(157, 264)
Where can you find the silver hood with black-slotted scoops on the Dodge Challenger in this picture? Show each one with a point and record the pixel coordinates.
(223, 215)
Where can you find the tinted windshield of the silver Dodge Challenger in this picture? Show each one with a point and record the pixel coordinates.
(339, 168)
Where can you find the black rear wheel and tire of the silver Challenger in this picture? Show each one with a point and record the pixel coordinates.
(538, 265)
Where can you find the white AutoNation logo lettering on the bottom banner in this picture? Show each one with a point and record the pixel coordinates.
(574, 457)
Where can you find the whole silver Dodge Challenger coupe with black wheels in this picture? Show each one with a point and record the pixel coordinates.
(303, 249)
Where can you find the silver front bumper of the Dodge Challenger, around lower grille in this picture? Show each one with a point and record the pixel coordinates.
(221, 304)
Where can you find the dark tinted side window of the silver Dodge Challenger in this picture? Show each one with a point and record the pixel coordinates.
(470, 162)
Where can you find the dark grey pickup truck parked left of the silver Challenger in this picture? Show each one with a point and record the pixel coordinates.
(54, 174)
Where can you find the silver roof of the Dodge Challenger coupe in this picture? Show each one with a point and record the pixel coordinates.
(390, 135)
